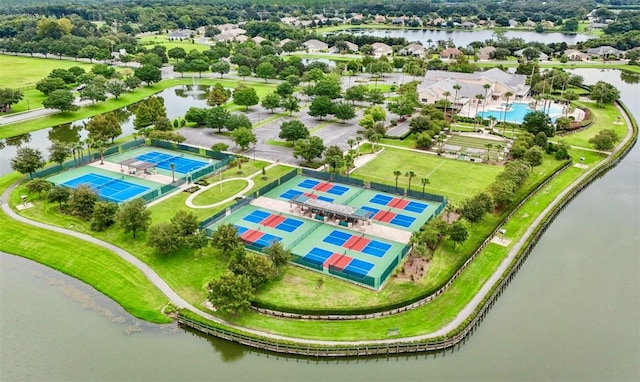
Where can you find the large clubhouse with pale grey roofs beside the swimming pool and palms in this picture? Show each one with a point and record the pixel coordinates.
(437, 82)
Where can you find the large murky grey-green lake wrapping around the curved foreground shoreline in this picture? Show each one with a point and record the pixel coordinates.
(572, 313)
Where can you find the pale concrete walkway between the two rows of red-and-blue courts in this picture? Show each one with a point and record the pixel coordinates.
(373, 228)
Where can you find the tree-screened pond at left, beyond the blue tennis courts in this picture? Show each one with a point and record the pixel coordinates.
(177, 101)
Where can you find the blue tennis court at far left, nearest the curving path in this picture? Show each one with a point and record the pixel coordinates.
(112, 189)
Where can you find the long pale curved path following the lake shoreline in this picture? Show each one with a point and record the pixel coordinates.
(181, 303)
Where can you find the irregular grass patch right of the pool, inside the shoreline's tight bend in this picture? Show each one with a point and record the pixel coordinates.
(604, 119)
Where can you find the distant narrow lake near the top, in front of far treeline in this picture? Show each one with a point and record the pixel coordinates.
(464, 38)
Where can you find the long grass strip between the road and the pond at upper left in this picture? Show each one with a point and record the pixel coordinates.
(124, 100)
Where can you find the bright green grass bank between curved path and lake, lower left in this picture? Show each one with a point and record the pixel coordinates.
(96, 266)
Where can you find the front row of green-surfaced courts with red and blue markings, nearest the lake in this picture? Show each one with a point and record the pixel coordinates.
(348, 254)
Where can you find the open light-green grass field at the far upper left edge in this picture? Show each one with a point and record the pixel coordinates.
(20, 71)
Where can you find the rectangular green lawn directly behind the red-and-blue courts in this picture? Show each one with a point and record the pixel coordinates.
(454, 179)
